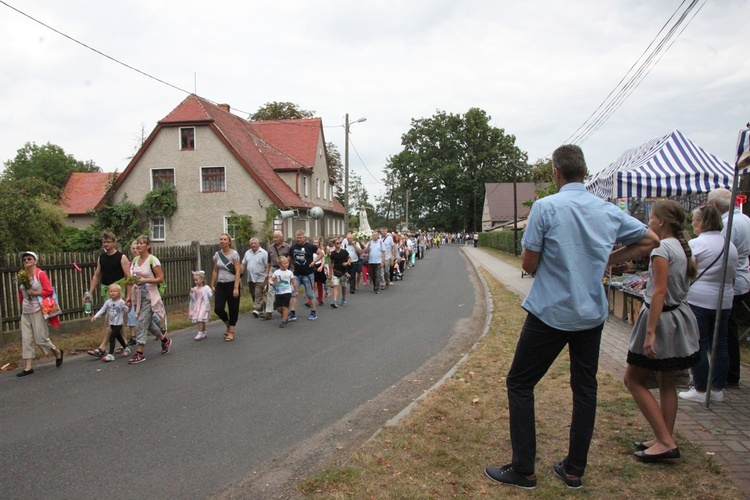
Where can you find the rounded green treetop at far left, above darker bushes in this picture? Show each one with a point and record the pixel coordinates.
(48, 163)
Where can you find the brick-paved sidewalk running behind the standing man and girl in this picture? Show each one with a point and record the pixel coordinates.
(723, 429)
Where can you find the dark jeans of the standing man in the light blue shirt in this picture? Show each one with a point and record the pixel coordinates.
(538, 347)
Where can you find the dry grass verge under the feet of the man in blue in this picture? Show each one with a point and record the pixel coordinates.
(440, 449)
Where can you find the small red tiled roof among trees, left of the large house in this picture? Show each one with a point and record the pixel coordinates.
(83, 193)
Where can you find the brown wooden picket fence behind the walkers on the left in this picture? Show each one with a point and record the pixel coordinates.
(71, 273)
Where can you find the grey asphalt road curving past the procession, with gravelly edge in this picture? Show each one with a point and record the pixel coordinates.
(215, 418)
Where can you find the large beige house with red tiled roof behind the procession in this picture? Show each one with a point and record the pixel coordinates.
(219, 163)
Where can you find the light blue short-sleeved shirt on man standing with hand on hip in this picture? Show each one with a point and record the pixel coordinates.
(574, 231)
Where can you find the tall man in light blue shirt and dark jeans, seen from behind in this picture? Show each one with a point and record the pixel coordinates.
(568, 241)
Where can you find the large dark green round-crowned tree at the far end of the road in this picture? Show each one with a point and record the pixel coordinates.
(444, 165)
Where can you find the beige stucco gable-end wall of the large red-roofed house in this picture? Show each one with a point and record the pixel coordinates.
(200, 216)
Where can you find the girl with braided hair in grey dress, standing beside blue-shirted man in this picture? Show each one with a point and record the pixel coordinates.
(665, 336)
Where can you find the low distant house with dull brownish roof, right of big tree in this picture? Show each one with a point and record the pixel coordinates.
(498, 202)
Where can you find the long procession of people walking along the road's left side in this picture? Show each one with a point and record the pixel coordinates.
(278, 279)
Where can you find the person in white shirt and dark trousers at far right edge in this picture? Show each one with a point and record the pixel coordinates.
(721, 199)
